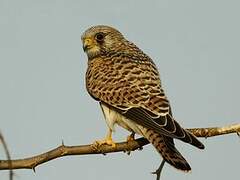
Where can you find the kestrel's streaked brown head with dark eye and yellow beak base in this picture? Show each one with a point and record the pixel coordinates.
(101, 39)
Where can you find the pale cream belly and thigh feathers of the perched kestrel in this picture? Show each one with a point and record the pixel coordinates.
(112, 117)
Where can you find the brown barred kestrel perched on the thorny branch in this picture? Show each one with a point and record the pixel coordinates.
(126, 83)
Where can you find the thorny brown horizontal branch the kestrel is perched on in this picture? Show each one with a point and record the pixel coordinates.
(62, 150)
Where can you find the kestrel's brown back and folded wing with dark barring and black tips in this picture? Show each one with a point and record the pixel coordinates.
(131, 85)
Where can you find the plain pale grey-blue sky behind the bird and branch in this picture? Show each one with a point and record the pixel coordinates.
(43, 99)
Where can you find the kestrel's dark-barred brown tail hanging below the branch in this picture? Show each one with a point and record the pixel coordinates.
(165, 146)
